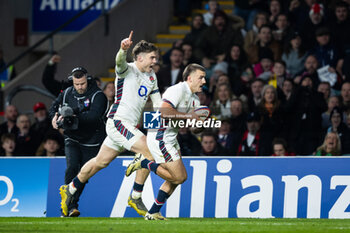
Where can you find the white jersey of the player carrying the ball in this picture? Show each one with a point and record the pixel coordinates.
(180, 97)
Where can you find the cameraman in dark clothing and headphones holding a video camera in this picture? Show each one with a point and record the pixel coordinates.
(79, 110)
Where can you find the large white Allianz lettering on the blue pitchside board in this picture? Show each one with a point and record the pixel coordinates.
(264, 196)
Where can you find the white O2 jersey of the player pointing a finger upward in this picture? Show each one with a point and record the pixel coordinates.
(132, 88)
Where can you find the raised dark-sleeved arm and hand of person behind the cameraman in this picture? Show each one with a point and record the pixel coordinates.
(48, 79)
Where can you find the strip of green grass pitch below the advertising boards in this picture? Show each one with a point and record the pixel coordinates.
(183, 225)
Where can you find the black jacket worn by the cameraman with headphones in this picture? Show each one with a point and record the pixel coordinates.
(90, 109)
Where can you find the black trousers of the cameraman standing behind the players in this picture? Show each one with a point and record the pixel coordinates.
(76, 156)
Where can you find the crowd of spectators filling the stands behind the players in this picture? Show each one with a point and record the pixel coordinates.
(278, 77)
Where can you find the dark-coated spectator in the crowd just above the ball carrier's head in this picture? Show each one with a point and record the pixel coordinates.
(216, 40)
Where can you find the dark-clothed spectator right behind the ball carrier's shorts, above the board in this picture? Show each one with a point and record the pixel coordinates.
(189, 144)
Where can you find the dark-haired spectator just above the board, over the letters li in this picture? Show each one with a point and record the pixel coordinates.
(210, 147)
